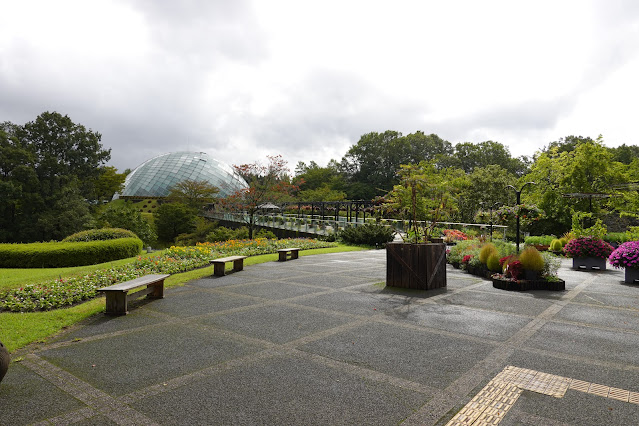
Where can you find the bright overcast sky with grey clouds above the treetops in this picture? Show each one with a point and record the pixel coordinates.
(242, 79)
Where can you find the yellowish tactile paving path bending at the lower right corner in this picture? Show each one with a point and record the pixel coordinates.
(492, 403)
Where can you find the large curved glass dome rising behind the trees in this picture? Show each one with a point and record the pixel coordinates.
(155, 177)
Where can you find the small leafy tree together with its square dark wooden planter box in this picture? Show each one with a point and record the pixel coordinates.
(422, 196)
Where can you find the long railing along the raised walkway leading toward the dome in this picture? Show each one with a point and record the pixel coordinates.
(327, 225)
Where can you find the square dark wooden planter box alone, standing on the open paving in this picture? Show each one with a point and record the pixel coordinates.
(417, 266)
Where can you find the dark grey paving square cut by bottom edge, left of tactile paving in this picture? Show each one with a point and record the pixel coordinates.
(283, 390)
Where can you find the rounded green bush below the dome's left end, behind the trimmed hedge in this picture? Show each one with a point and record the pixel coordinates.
(125, 215)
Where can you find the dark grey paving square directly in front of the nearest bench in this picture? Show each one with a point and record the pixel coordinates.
(123, 363)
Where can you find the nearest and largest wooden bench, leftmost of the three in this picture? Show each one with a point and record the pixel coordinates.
(118, 296)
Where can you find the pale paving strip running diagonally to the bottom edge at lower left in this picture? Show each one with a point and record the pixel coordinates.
(94, 398)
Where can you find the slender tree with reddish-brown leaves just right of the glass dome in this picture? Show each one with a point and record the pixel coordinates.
(267, 183)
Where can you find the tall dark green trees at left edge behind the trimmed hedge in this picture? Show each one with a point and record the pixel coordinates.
(41, 163)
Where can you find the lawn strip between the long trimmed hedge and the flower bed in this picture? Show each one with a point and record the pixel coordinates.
(13, 278)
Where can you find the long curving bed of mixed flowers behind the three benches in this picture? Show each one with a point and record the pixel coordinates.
(67, 291)
